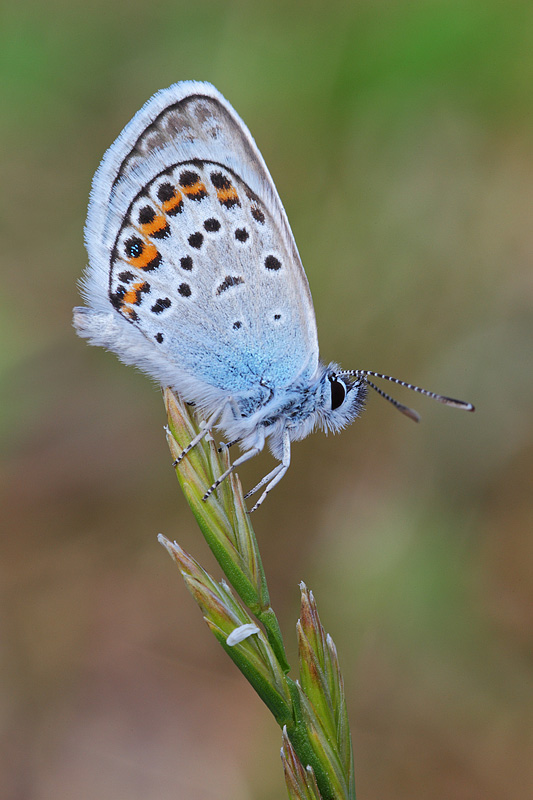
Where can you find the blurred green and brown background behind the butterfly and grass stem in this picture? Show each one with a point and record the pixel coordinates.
(400, 137)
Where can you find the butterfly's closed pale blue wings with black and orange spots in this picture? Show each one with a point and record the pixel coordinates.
(189, 244)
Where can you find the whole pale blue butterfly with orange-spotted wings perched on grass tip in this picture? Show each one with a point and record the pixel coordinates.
(194, 277)
